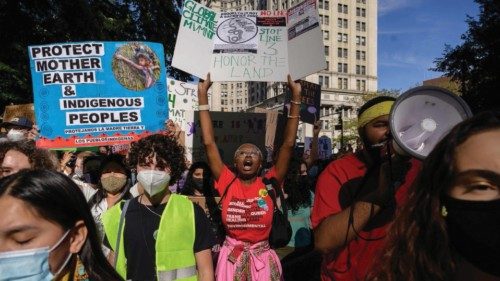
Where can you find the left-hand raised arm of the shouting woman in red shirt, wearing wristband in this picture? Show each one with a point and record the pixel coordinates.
(207, 129)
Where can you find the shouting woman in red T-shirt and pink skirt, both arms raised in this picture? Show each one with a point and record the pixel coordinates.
(247, 208)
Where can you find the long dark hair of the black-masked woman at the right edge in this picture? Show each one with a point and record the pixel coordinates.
(418, 247)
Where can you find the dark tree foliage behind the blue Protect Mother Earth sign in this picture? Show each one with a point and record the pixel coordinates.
(31, 22)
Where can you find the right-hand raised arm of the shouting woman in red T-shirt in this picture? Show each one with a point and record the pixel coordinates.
(286, 149)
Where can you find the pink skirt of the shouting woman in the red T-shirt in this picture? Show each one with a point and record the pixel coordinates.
(243, 261)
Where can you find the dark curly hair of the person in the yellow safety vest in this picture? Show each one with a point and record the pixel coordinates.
(167, 151)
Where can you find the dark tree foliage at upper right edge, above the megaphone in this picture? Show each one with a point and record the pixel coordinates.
(474, 63)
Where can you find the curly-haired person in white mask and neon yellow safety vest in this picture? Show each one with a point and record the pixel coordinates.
(159, 235)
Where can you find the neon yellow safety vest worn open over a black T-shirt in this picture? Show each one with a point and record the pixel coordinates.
(175, 258)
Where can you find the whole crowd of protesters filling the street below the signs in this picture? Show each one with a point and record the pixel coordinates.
(370, 214)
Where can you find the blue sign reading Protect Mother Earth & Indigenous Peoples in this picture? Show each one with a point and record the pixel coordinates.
(98, 93)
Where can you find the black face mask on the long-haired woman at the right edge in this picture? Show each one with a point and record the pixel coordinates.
(474, 231)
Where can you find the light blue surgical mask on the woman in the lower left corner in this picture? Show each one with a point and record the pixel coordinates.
(31, 264)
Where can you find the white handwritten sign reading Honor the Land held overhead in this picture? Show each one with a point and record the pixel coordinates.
(251, 45)
